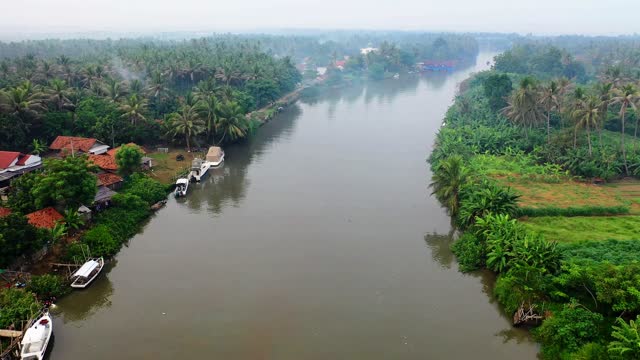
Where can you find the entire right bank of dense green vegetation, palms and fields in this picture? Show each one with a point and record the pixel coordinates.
(515, 165)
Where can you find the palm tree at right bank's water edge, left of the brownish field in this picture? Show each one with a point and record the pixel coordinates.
(449, 176)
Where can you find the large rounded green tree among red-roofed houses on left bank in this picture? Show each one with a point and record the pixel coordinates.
(66, 182)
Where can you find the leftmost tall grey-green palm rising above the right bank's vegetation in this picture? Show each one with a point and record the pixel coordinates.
(523, 105)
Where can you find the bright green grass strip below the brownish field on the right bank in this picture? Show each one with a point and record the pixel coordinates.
(570, 229)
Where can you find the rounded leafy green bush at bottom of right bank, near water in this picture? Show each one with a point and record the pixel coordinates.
(568, 330)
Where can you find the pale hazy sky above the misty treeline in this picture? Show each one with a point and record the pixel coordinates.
(539, 17)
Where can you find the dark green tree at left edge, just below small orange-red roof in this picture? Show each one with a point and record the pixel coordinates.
(17, 238)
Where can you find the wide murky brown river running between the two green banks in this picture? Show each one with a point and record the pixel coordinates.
(317, 239)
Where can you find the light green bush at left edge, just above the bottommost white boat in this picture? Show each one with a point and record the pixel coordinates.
(17, 305)
